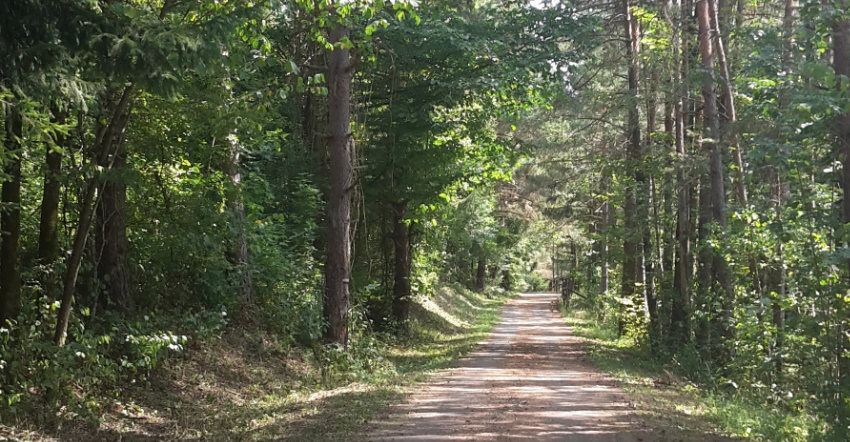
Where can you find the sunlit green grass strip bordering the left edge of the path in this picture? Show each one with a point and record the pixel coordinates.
(442, 330)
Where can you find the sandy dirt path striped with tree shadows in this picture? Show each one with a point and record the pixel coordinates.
(527, 381)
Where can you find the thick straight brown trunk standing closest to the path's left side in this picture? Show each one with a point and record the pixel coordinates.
(338, 268)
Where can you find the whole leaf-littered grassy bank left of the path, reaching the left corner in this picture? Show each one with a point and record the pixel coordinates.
(234, 381)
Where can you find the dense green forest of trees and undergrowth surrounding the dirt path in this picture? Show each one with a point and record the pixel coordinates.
(293, 180)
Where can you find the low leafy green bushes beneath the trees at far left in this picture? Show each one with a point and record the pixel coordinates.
(78, 376)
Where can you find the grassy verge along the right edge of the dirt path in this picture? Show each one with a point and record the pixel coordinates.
(681, 409)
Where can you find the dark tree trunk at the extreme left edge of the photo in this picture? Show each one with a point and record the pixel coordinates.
(10, 220)
